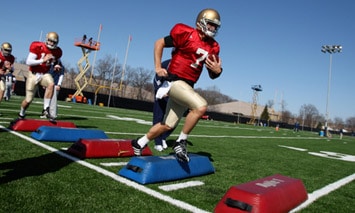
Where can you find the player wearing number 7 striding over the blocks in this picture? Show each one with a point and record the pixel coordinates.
(191, 49)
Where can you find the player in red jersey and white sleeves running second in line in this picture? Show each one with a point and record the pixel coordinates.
(42, 56)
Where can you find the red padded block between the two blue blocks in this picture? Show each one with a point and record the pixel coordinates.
(104, 148)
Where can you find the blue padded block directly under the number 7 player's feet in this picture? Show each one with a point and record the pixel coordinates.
(154, 169)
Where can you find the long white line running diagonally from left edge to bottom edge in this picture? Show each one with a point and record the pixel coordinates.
(158, 195)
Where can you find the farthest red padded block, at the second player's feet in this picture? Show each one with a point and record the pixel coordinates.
(30, 125)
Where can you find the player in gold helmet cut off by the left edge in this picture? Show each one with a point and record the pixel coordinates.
(6, 62)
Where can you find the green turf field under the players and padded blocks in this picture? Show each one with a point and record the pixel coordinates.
(35, 176)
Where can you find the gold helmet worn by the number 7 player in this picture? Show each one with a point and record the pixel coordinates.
(208, 16)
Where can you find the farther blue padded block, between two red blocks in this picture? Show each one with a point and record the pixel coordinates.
(62, 134)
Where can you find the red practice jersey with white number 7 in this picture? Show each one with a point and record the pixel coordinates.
(190, 52)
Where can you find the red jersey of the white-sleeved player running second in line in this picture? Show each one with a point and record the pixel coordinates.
(40, 49)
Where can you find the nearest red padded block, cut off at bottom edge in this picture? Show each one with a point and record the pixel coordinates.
(271, 194)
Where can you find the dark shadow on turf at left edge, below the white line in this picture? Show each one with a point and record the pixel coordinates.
(35, 166)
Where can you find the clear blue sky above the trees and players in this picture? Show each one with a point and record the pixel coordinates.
(274, 43)
